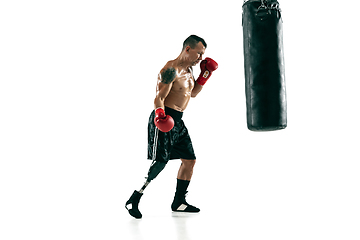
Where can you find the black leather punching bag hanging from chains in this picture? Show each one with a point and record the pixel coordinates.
(264, 65)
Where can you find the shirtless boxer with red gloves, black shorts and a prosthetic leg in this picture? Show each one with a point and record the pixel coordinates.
(168, 137)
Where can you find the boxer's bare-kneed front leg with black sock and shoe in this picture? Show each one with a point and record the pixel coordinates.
(183, 180)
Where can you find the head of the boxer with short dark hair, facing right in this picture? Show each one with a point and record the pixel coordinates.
(194, 47)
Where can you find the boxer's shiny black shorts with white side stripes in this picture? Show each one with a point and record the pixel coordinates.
(174, 144)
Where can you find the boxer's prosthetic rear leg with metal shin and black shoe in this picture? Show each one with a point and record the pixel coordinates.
(132, 205)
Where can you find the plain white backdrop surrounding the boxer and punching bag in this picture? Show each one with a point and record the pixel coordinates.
(77, 87)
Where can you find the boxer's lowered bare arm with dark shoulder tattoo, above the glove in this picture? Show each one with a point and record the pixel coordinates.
(164, 85)
